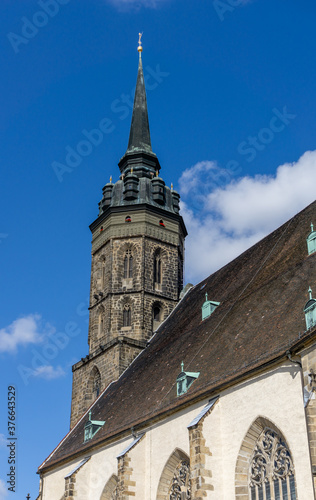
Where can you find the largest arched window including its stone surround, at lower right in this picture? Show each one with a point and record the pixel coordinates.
(264, 465)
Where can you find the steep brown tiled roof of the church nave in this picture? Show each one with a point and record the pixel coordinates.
(262, 294)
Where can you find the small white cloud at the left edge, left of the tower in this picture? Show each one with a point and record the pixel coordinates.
(22, 331)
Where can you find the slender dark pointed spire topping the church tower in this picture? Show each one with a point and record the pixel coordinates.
(139, 137)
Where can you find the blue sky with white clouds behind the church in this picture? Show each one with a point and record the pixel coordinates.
(231, 97)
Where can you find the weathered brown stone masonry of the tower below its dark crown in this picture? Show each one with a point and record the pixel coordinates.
(111, 292)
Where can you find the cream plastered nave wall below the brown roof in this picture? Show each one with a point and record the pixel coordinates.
(224, 444)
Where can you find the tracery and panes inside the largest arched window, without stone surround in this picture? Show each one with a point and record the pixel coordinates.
(271, 469)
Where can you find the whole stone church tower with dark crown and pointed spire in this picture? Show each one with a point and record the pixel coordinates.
(137, 262)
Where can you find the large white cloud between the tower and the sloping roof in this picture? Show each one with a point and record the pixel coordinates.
(225, 216)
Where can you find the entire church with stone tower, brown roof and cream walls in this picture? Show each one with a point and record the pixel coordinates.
(199, 392)
